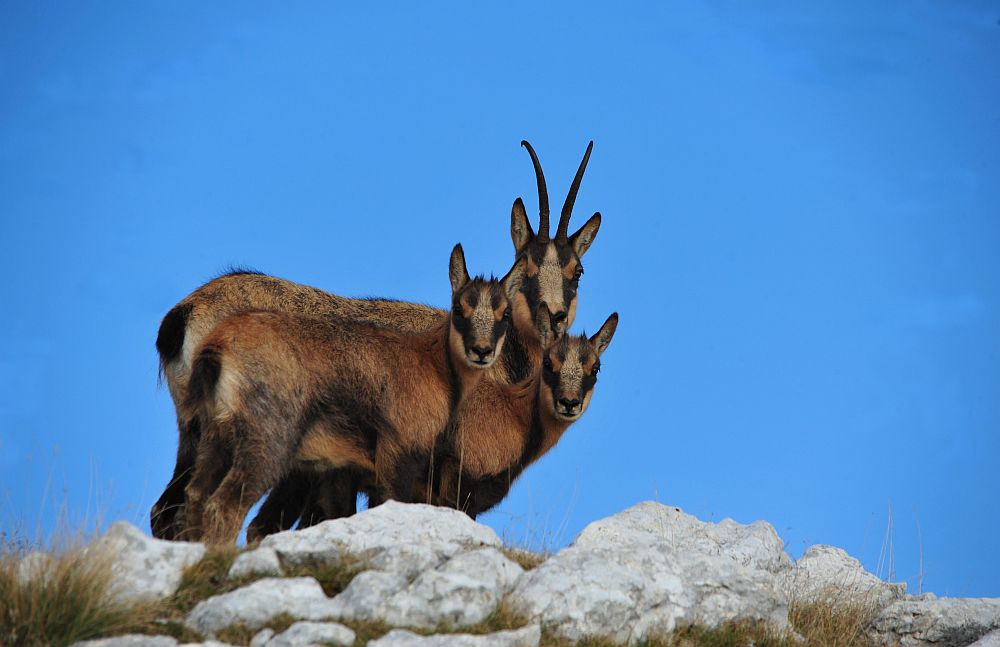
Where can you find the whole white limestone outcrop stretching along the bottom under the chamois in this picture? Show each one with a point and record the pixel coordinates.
(418, 569)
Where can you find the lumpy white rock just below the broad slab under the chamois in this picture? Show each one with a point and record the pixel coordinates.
(461, 592)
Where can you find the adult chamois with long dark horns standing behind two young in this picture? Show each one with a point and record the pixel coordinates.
(554, 272)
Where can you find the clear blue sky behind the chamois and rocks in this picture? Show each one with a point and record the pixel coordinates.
(801, 234)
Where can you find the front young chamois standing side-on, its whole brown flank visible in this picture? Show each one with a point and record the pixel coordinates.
(274, 390)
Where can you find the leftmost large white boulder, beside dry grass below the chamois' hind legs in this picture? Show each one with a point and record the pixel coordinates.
(144, 569)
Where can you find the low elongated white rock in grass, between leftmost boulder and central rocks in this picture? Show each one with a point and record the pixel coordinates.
(255, 604)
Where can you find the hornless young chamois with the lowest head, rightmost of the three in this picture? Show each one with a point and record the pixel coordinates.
(492, 441)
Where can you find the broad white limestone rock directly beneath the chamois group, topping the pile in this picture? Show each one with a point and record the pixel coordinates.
(396, 537)
